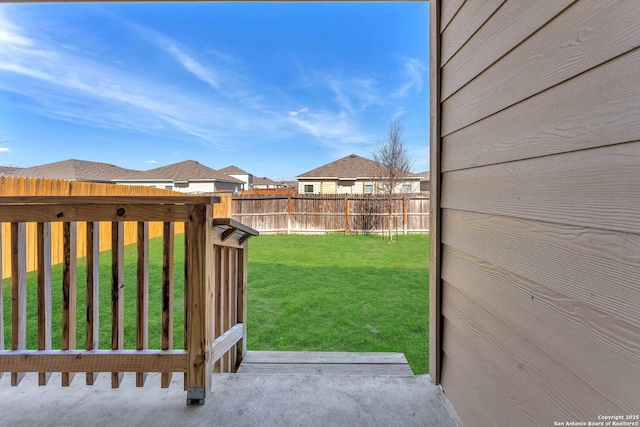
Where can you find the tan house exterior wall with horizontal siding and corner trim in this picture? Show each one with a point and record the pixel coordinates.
(535, 177)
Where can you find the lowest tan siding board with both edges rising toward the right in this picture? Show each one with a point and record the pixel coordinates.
(569, 117)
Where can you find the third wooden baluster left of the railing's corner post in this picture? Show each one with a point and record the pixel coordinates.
(117, 294)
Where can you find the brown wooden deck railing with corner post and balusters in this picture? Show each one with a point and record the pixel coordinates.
(214, 290)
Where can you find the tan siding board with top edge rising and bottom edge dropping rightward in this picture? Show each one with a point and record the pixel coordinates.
(597, 188)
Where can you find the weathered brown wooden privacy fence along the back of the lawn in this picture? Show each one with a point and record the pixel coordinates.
(321, 213)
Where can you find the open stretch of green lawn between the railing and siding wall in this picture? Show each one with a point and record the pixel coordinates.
(340, 293)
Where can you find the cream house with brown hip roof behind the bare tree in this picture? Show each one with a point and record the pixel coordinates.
(350, 175)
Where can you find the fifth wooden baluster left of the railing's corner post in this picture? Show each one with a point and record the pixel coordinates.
(69, 288)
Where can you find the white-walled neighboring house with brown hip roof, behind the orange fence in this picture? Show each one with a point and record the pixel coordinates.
(188, 176)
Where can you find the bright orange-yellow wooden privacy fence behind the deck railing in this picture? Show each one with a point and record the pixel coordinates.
(16, 186)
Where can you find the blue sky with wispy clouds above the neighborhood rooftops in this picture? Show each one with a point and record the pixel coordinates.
(277, 89)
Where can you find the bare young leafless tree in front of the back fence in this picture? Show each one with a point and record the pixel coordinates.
(393, 165)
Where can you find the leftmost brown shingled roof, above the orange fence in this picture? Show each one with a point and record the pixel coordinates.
(75, 170)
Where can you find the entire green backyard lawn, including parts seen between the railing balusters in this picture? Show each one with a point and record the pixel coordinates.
(317, 293)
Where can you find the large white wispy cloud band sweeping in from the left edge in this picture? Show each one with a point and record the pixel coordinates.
(85, 91)
